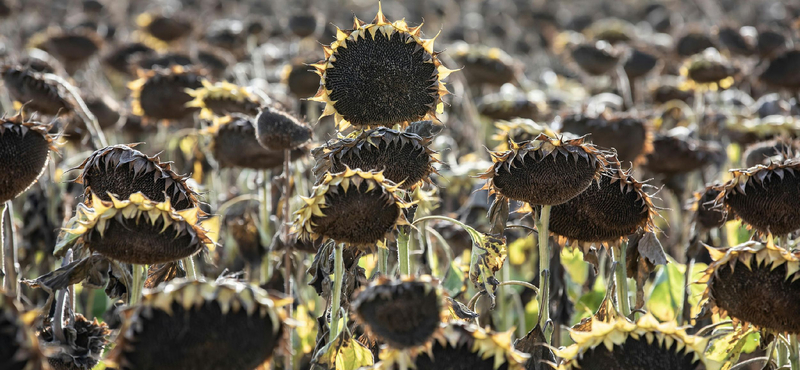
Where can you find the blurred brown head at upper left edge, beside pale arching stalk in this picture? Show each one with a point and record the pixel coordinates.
(31, 89)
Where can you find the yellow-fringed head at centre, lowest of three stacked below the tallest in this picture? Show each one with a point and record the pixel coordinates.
(356, 207)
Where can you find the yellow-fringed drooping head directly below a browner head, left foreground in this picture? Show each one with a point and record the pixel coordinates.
(135, 230)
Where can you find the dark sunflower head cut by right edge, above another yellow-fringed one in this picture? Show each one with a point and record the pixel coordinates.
(765, 197)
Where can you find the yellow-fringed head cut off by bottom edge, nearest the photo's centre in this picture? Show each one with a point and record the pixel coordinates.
(457, 346)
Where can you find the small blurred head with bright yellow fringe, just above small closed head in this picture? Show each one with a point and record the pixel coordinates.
(222, 98)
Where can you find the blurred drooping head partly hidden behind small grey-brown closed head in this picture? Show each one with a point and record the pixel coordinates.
(234, 144)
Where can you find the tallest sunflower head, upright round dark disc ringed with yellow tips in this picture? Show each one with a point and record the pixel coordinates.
(381, 74)
